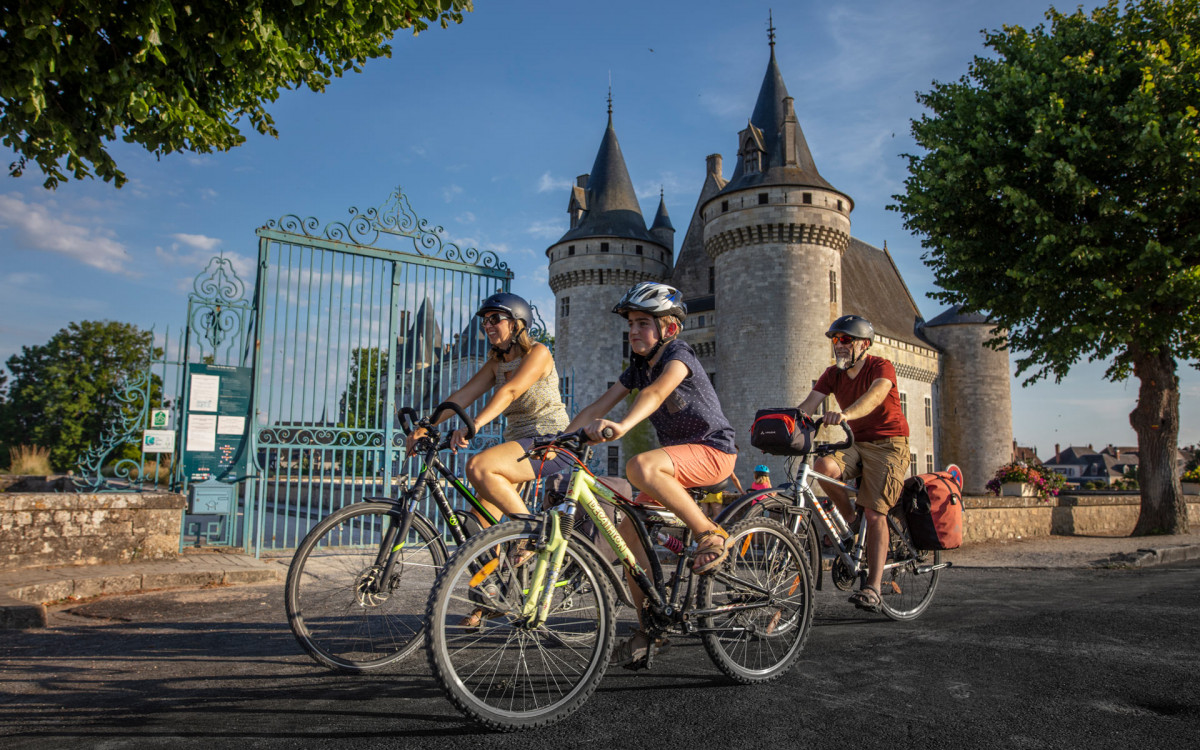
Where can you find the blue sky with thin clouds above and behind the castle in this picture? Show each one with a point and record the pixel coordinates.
(485, 125)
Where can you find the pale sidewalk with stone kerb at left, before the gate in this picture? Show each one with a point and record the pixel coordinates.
(25, 593)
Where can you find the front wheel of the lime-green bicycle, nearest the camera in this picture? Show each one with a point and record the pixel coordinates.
(501, 671)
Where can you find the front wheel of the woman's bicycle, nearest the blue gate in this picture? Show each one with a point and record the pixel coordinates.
(343, 616)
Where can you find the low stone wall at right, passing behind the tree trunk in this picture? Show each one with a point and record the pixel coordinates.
(992, 519)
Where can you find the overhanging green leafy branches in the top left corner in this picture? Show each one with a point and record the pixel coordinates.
(176, 76)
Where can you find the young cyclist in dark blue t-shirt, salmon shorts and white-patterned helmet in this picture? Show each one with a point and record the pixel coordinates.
(698, 449)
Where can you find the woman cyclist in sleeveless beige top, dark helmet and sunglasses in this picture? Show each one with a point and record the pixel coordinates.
(523, 373)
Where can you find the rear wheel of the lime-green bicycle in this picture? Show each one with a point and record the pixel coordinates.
(766, 587)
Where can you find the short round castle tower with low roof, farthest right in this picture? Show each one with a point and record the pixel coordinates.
(975, 425)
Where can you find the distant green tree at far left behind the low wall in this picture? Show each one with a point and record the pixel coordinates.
(64, 394)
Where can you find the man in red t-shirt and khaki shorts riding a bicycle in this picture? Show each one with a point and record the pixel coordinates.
(867, 393)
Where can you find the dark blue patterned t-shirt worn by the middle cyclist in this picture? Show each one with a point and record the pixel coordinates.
(692, 413)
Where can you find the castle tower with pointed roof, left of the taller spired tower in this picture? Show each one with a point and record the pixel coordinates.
(607, 250)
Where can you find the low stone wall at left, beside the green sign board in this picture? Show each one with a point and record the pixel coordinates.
(64, 529)
